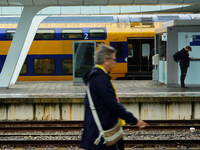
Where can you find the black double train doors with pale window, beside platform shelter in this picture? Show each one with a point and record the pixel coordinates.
(140, 52)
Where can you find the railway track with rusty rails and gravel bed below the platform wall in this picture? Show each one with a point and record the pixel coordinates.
(69, 133)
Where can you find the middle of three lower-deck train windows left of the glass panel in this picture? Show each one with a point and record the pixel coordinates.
(44, 66)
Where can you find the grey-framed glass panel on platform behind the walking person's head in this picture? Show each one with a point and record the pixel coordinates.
(83, 59)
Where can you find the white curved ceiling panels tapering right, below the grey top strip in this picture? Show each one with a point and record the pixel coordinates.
(104, 10)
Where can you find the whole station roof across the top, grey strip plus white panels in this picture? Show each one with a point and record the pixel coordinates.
(76, 7)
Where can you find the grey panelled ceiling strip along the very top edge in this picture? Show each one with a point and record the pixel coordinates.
(95, 2)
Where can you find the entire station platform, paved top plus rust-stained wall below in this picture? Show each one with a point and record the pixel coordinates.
(61, 100)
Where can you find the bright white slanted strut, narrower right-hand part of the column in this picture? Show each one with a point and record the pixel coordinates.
(28, 41)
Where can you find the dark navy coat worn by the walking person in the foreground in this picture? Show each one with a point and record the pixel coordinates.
(108, 109)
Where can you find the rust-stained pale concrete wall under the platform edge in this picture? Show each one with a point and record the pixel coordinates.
(75, 111)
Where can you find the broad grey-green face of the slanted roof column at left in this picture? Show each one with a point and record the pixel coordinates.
(18, 44)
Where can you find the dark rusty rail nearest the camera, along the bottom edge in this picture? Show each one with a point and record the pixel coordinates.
(128, 143)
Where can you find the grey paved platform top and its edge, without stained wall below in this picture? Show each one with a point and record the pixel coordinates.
(127, 90)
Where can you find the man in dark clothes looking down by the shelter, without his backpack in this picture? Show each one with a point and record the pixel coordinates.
(184, 64)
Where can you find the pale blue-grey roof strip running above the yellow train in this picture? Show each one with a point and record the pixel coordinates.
(101, 18)
